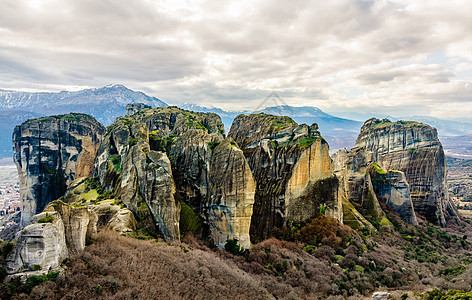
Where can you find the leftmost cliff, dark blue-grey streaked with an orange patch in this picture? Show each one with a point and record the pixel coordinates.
(49, 154)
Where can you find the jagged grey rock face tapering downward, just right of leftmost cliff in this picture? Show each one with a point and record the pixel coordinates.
(139, 177)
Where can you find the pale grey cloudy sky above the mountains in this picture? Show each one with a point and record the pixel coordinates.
(400, 57)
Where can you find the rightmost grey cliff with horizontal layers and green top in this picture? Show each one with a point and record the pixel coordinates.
(414, 149)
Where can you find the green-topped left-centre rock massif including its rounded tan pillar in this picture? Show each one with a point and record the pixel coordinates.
(157, 158)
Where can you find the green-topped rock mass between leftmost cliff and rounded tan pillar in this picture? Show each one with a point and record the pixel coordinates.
(156, 158)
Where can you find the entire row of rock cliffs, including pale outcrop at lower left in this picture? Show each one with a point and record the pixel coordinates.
(158, 170)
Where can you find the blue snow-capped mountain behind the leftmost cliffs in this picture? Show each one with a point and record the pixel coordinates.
(105, 104)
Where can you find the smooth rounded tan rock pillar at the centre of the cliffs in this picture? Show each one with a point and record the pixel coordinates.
(228, 209)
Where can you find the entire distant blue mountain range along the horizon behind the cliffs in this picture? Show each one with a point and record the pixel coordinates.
(109, 102)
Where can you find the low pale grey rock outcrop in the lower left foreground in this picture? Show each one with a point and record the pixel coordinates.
(62, 229)
